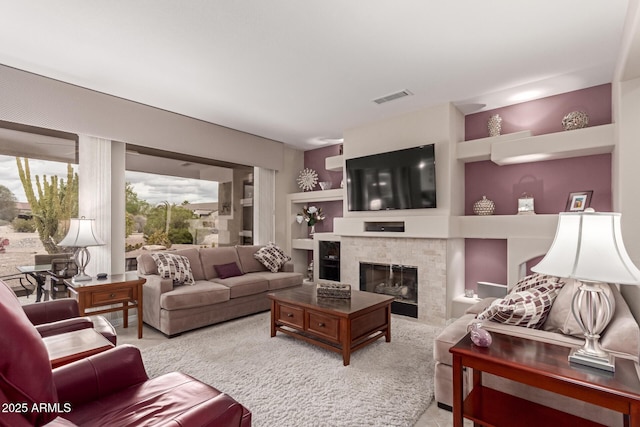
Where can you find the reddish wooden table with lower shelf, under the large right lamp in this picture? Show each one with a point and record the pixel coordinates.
(540, 365)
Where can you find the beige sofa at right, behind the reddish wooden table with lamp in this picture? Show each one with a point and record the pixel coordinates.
(621, 338)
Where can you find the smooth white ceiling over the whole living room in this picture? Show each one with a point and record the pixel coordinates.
(302, 72)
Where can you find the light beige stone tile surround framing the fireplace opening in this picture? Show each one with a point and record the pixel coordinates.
(429, 255)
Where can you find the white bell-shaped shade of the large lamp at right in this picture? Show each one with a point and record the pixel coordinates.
(588, 246)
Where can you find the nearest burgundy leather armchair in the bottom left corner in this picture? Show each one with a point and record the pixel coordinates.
(108, 389)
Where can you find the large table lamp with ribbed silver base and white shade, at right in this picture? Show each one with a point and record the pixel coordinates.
(588, 247)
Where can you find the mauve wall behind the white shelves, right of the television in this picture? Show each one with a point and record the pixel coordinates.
(550, 182)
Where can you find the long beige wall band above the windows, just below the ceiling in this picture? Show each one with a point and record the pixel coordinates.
(38, 101)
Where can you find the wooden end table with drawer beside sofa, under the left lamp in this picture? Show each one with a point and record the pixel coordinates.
(124, 289)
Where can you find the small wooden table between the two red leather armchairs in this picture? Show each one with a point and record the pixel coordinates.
(71, 346)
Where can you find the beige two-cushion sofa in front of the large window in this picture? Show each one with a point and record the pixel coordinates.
(211, 298)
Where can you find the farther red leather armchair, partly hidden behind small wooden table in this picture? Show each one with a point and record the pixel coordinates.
(60, 316)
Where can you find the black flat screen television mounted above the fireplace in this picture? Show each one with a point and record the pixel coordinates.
(402, 179)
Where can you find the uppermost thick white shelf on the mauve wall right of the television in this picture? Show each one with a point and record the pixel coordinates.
(521, 147)
